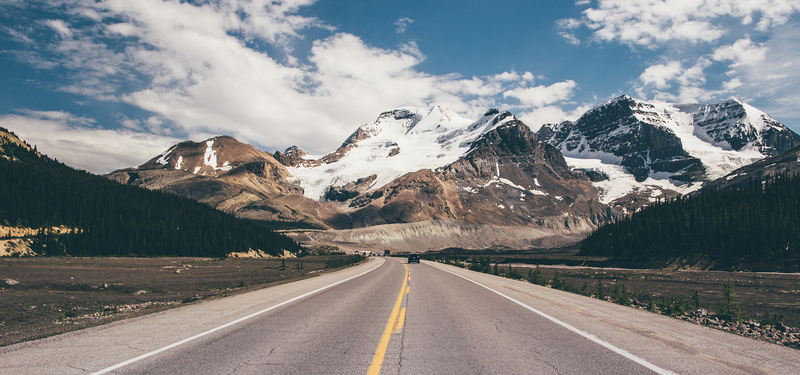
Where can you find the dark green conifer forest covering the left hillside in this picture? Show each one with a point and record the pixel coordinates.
(111, 219)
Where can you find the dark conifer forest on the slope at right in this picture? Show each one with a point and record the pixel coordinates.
(753, 226)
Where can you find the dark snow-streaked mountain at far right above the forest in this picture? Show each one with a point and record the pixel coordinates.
(639, 149)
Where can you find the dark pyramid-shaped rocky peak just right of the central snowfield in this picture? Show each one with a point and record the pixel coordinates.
(511, 178)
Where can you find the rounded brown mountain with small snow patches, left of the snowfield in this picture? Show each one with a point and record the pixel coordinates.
(223, 173)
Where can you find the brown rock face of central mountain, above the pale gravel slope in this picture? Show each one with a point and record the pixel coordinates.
(508, 178)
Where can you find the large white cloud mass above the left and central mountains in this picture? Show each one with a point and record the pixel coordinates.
(200, 71)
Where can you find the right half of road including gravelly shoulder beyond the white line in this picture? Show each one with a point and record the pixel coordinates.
(532, 329)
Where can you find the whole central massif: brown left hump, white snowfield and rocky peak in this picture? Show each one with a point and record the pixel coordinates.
(497, 175)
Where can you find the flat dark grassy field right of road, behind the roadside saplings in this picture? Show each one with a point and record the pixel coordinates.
(762, 296)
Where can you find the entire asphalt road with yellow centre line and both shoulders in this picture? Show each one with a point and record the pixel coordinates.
(401, 319)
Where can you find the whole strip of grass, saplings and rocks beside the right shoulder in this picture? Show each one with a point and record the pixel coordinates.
(740, 301)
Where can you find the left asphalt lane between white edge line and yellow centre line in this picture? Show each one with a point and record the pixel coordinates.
(333, 332)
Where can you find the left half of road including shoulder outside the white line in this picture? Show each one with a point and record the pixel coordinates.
(334, 330)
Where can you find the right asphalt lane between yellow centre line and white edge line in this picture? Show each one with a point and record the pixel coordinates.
(454, 326)
